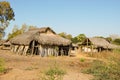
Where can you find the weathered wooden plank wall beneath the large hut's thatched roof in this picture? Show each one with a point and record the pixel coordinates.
(42, 50)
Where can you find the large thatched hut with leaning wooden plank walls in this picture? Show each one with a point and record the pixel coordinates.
(40, 41)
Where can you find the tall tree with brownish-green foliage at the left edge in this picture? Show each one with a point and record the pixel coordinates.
(6, 15)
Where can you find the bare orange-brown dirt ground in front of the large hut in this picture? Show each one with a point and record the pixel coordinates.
(33, 67)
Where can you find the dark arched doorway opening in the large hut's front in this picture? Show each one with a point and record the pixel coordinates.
(33, 48)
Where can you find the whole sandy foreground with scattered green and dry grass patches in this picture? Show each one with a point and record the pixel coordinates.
(103, 66)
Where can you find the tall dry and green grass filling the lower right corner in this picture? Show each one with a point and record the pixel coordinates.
(106, 69)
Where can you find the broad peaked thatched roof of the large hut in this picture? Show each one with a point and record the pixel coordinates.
(43, 36)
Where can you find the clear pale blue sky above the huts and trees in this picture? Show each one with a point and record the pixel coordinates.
(89, 17)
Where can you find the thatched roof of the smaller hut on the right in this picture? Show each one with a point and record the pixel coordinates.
(98, 42)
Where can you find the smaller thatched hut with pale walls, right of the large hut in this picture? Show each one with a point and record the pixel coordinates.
(96, 45)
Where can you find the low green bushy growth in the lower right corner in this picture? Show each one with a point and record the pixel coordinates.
(103, 71)
